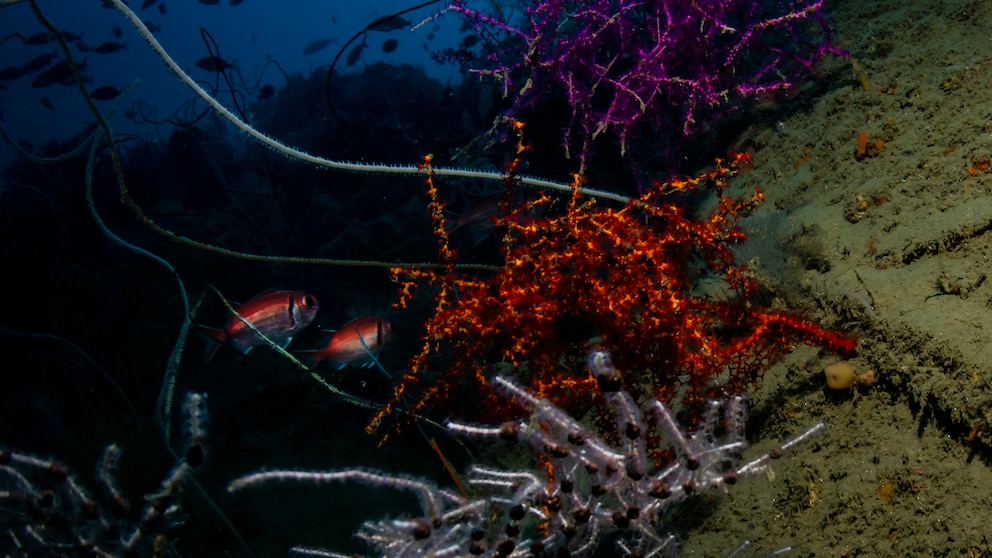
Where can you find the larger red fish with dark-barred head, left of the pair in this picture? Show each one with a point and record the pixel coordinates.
(279, 315)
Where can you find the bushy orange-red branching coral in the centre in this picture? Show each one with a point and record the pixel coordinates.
(594, 276)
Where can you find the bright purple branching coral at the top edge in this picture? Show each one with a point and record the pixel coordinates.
(626, 64)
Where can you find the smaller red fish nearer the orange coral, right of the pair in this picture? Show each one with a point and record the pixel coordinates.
(345, 347)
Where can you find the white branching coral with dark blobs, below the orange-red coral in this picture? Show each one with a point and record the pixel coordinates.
(588, 492)
